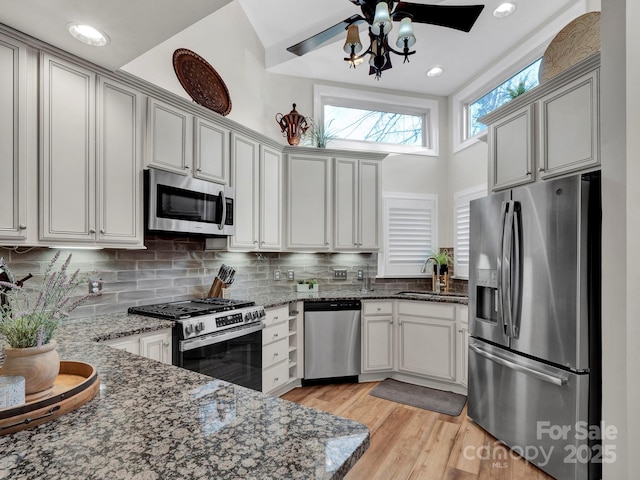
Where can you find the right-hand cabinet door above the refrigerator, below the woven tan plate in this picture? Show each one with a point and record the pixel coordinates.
(569, 127)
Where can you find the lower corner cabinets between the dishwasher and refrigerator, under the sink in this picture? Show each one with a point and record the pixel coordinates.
(418, 339)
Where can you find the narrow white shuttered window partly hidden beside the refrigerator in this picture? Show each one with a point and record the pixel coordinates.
(461, 204)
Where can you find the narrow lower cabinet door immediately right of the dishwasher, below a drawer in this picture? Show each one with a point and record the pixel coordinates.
(377, 343)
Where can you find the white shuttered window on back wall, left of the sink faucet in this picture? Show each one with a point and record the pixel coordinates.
(411, 234)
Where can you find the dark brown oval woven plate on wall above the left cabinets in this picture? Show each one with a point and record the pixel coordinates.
(201, 81)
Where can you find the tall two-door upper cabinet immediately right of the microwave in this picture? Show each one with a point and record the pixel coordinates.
(256, 174)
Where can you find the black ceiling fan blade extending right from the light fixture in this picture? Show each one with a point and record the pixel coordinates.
(460, 17)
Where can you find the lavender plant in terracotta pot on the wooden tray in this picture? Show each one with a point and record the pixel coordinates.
(28, 322)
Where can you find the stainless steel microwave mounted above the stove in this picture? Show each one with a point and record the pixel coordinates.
(182, 204)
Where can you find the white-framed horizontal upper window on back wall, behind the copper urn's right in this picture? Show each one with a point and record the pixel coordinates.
(375, 121)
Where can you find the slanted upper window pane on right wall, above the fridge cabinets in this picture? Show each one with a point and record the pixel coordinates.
(525, 79)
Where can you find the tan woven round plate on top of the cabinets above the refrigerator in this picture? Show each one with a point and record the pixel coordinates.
(575, 42)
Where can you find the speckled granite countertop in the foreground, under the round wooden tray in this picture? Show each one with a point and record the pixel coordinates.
(155, 421)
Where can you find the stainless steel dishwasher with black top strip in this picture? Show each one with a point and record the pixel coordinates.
(331, 341)
